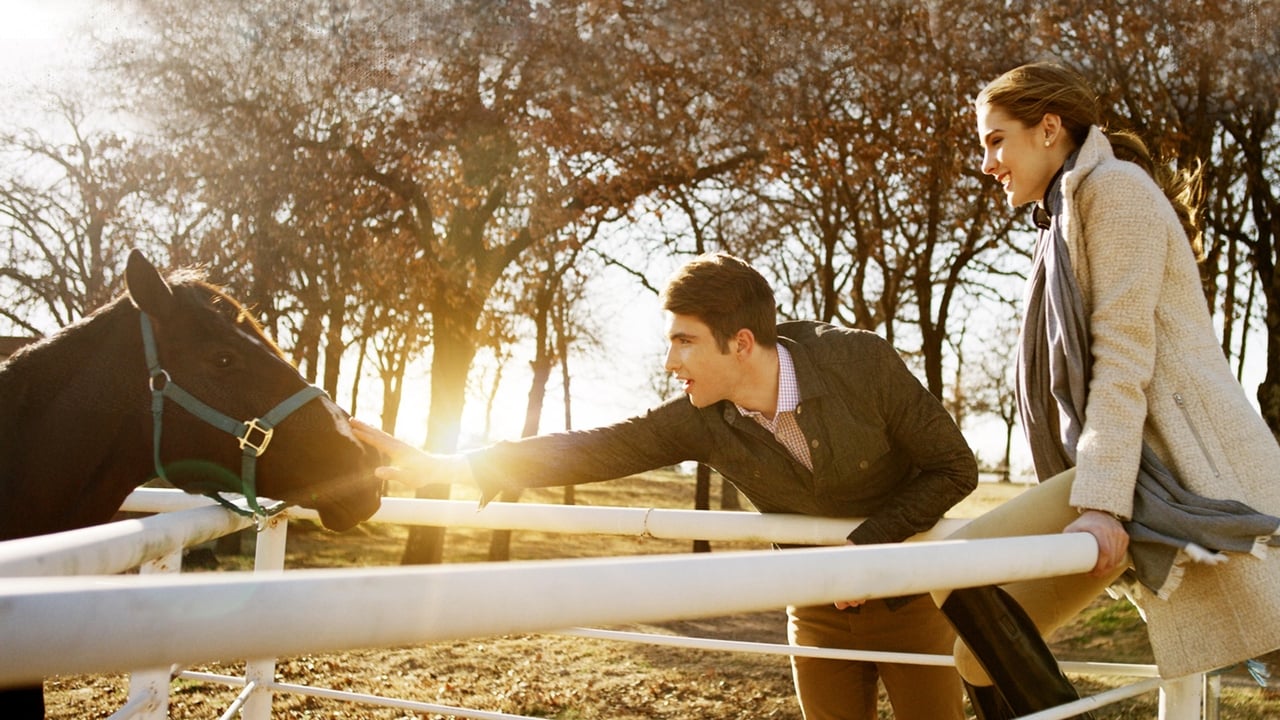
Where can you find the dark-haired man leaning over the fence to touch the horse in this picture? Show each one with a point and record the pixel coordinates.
(803, 418)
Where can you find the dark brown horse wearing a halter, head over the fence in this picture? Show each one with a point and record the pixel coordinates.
(153, 385)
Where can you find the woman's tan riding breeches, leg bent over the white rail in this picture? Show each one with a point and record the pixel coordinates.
(1052, 603)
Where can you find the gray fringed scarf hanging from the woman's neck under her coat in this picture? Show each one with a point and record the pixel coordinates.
(1171, 523)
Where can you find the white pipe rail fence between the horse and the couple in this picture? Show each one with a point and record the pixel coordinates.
(63, 612)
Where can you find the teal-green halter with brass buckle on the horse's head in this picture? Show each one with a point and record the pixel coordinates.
(254, 436)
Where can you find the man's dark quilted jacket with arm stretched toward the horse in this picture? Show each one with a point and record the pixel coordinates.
(883, 446)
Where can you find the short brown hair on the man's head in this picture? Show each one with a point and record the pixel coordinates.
(728, 295)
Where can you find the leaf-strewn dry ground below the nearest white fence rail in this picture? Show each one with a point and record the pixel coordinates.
(572, 678)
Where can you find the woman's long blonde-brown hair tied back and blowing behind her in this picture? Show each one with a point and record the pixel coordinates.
(1028, 93)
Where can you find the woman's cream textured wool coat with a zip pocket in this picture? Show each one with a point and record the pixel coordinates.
(1160, 376)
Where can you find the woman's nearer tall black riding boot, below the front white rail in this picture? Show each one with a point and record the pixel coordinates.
(1007, 644)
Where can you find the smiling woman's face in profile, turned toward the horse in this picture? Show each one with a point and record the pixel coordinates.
(1022, 158)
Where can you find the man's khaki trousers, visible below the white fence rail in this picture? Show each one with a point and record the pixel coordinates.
(845, 690)
